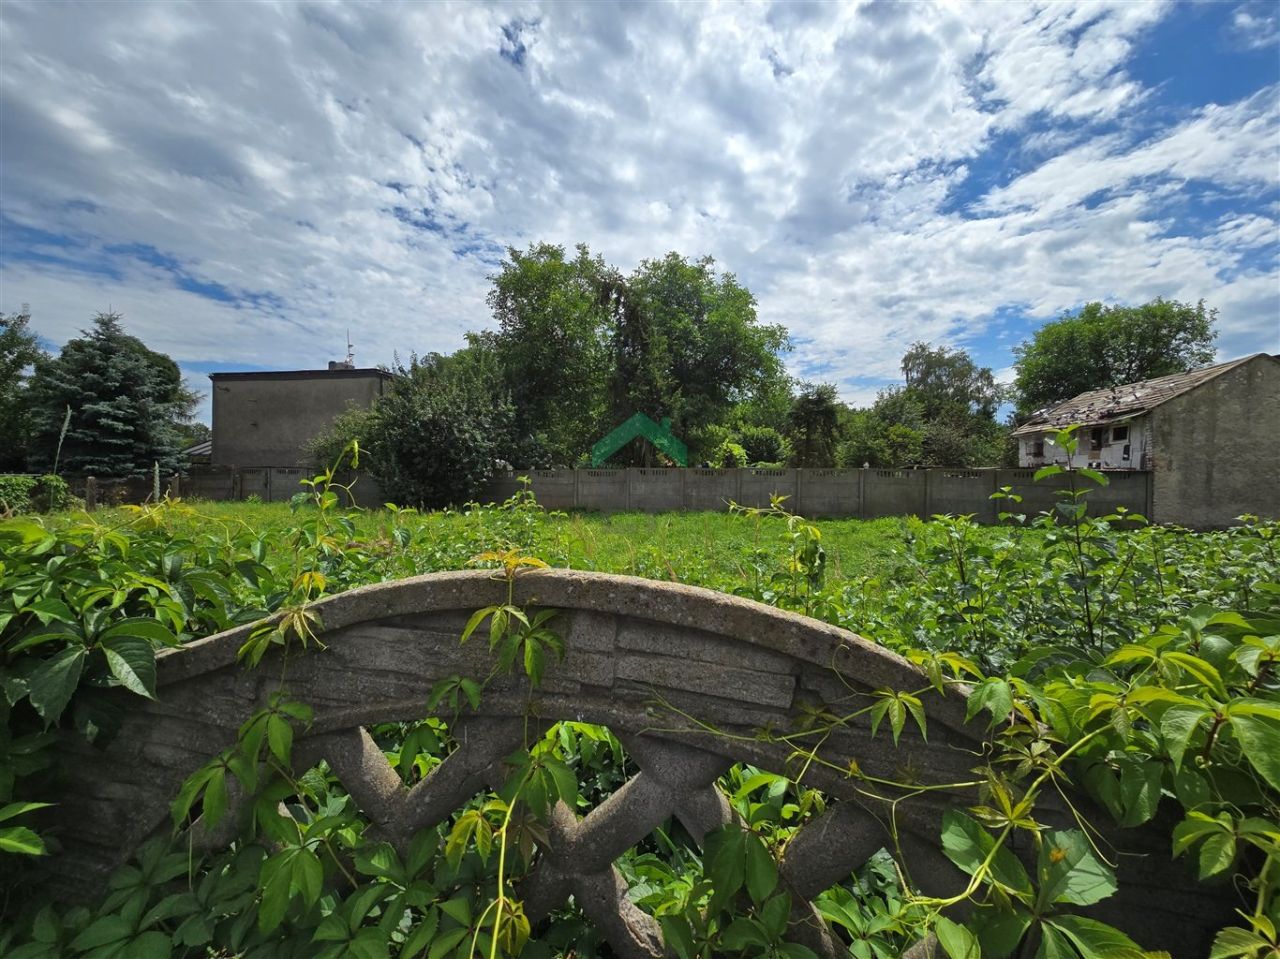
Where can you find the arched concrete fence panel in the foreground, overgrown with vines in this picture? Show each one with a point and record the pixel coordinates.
(687, 678)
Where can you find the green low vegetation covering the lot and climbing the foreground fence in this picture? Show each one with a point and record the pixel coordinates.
(1137, 663)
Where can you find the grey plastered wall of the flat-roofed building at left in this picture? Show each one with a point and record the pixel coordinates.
(267, 419)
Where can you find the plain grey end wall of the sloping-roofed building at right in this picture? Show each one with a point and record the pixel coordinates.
(1215, 449)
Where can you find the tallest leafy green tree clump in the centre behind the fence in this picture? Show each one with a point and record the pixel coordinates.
(582, 348)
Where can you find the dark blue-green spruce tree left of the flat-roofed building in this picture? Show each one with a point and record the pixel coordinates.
(126, 403)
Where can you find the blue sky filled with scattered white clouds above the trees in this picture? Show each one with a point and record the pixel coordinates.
(246, 181)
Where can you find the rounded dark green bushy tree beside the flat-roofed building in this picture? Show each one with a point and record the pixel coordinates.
(437, 437)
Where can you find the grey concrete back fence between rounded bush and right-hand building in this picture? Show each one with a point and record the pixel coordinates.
(820, 494)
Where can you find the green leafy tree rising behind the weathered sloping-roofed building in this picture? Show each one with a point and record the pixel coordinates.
(1109, 346)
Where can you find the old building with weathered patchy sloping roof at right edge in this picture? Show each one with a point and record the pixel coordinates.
(1209, 437)
